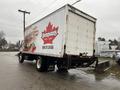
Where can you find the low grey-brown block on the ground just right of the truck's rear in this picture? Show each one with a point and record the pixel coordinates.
(102, 66)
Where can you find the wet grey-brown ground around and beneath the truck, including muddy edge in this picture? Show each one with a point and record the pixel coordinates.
(15, 76)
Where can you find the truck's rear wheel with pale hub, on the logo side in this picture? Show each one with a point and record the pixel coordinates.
(41, 65)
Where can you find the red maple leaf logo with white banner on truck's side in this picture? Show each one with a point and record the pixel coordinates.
(49, 33)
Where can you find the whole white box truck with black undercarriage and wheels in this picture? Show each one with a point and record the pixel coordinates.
(65, 38)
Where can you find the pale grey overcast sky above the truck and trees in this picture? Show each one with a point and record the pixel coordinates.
(106, 11)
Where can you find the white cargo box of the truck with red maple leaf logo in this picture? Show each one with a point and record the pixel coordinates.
(65, 31)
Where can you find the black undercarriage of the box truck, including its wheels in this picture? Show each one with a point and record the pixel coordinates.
(47, 63)
